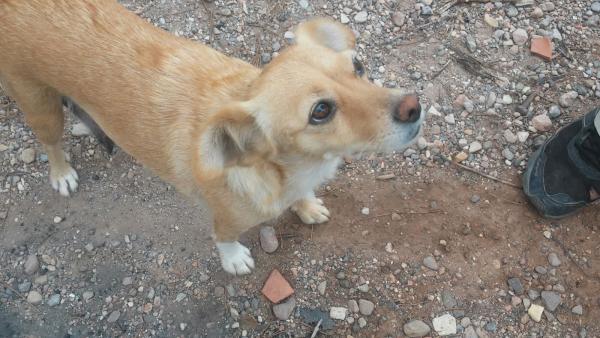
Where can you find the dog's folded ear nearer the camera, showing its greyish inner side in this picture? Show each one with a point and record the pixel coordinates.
(234, 138)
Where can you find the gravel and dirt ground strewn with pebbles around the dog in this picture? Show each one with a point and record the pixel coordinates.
(417, 246)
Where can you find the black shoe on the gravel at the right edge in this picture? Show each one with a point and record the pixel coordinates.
(562, 173)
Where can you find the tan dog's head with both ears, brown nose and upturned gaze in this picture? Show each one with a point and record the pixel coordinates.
(315, 100)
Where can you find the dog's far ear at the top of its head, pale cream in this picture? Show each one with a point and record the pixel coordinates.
(326, 32)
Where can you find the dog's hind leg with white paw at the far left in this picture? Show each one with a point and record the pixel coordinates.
(42, 106)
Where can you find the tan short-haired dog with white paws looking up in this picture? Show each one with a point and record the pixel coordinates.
(251, 142)
